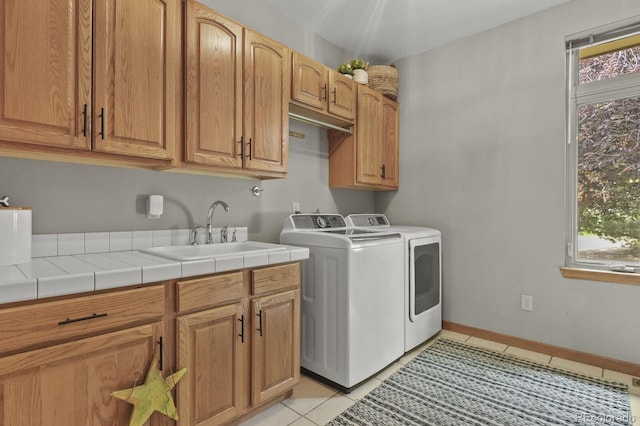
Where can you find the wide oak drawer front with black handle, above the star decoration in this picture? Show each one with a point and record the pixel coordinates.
(49, 322)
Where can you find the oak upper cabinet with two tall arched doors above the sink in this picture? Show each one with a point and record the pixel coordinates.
(237, 97)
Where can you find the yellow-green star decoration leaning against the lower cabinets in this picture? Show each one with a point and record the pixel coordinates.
(153, 395)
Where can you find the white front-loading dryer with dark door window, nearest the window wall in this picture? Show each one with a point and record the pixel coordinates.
(422, 275)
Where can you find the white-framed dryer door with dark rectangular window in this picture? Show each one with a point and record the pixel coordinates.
(425, 277)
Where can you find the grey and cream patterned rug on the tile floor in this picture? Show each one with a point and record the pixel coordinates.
(452, 383)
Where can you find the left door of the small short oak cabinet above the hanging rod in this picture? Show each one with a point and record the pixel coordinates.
(309, 82)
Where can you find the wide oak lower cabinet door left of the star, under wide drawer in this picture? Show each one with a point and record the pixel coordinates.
(70, 384)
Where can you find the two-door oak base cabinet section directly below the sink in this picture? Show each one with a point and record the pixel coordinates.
(242, 354)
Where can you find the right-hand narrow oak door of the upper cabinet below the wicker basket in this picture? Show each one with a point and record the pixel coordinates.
(390, 139)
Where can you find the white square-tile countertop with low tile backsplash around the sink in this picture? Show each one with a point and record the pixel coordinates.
(65, 264)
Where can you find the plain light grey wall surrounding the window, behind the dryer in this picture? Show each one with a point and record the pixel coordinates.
(482, 158)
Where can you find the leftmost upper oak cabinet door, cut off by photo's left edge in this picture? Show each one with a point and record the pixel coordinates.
(45, 72)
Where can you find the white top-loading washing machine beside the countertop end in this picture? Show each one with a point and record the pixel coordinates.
(352, 323)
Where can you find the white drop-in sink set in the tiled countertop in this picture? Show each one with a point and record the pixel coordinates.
(205, 251)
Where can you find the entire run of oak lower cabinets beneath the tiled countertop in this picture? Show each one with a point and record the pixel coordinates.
(237, 333)
